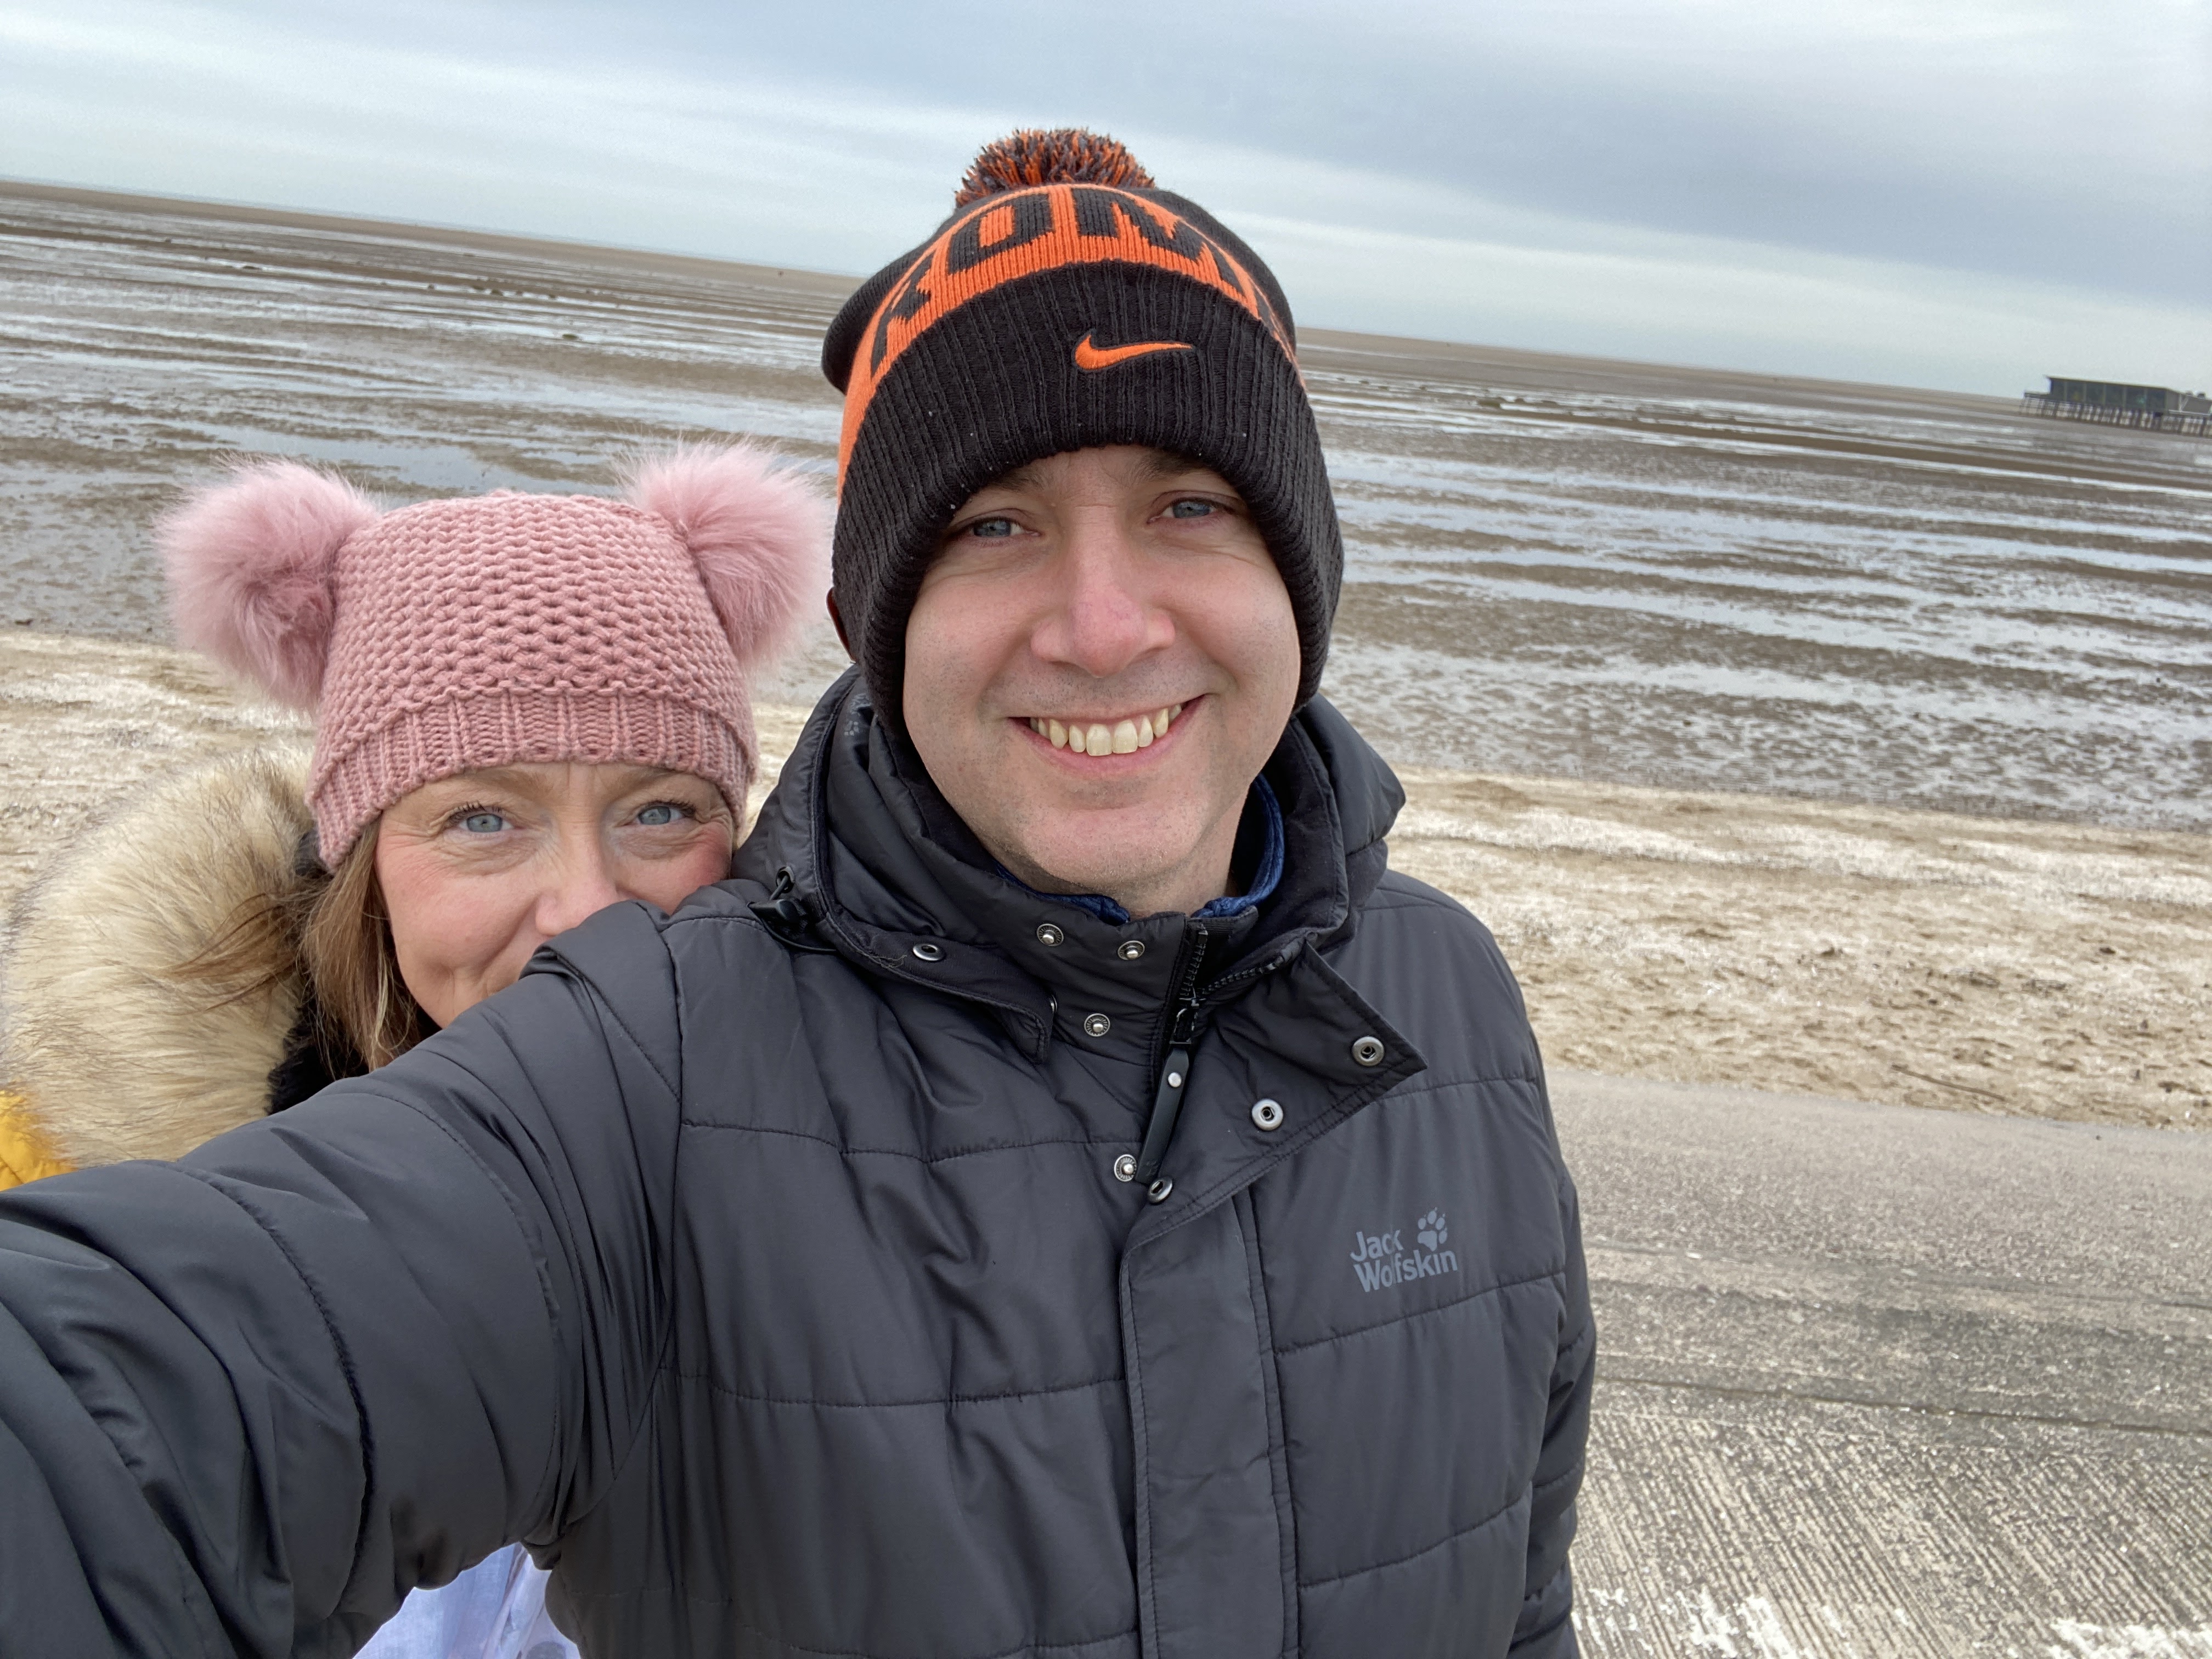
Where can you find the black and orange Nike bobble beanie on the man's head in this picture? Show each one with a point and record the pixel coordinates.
(1067, 304)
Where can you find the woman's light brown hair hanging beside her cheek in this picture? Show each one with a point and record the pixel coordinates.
(331, 930)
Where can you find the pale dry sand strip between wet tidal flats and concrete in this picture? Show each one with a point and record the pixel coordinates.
(1786, 946)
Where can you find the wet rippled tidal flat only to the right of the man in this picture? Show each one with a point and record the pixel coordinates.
(1926, 603)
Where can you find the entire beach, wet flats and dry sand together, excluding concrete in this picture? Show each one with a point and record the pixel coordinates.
(1791, 735)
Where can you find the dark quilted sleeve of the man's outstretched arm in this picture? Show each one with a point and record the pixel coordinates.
(251, 1399)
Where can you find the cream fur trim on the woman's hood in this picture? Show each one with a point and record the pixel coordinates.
(114, 1054)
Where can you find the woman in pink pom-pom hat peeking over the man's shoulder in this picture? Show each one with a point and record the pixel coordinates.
(525, 709)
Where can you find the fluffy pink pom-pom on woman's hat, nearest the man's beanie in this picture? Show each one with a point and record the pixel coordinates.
(760, 534)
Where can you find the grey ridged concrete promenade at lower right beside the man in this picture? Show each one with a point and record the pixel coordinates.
(1888, 1381)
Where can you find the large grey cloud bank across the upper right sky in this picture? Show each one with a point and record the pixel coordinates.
(2074, 149)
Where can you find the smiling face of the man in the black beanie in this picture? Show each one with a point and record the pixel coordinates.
(1089, 594)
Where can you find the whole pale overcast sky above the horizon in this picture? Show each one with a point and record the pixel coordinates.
(1957, 194)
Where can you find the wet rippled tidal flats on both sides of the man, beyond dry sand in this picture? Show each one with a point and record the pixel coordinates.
(1556, 565)
